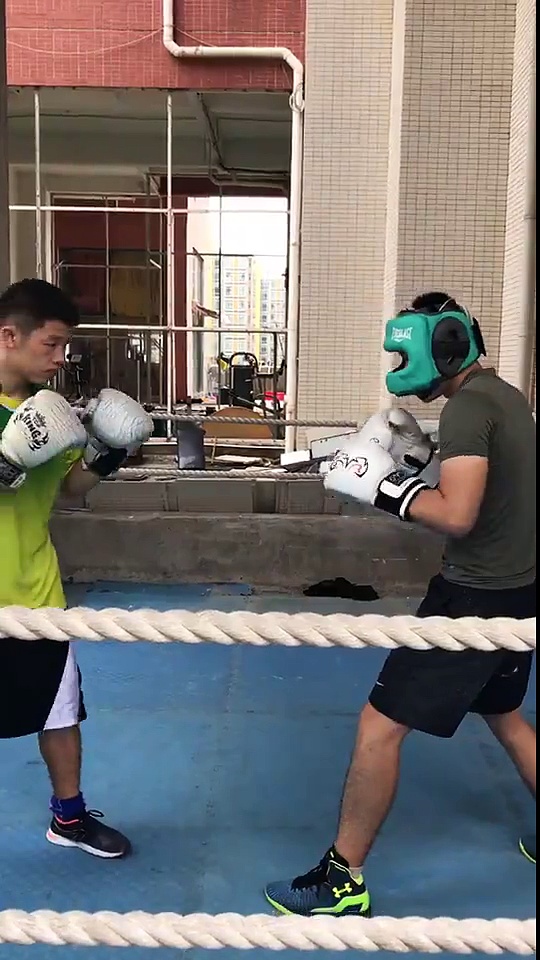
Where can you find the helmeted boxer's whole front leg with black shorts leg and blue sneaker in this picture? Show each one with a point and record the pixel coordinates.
(430, 692)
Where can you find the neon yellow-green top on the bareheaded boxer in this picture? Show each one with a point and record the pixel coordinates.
(29, 572)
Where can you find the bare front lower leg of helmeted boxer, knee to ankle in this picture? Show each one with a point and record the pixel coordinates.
(370, 786)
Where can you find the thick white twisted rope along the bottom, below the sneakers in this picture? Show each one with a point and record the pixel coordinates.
(267, 932)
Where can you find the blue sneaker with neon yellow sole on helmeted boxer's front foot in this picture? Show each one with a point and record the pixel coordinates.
(328, 889)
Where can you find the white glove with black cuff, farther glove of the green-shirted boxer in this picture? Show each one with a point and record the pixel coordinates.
(117, 425)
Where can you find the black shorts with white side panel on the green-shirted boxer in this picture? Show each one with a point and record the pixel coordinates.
(40, 687)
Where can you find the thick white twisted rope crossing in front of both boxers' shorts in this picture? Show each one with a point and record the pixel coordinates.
(263, 629)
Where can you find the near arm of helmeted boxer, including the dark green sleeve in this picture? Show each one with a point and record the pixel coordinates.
(465, 430)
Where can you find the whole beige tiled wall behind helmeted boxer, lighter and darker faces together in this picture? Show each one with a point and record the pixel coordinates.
(407, 133)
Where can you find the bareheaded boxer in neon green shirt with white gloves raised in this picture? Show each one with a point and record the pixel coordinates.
(45, 448)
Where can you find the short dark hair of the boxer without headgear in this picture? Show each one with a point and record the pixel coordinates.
(30, 303)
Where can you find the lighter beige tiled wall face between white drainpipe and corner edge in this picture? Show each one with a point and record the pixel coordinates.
(348, 80)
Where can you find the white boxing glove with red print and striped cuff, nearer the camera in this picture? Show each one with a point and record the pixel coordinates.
(369, 474)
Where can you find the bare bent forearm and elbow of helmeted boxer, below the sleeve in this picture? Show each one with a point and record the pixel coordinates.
(454, 506)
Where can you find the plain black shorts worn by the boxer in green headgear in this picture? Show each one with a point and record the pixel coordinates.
(433, 691)
